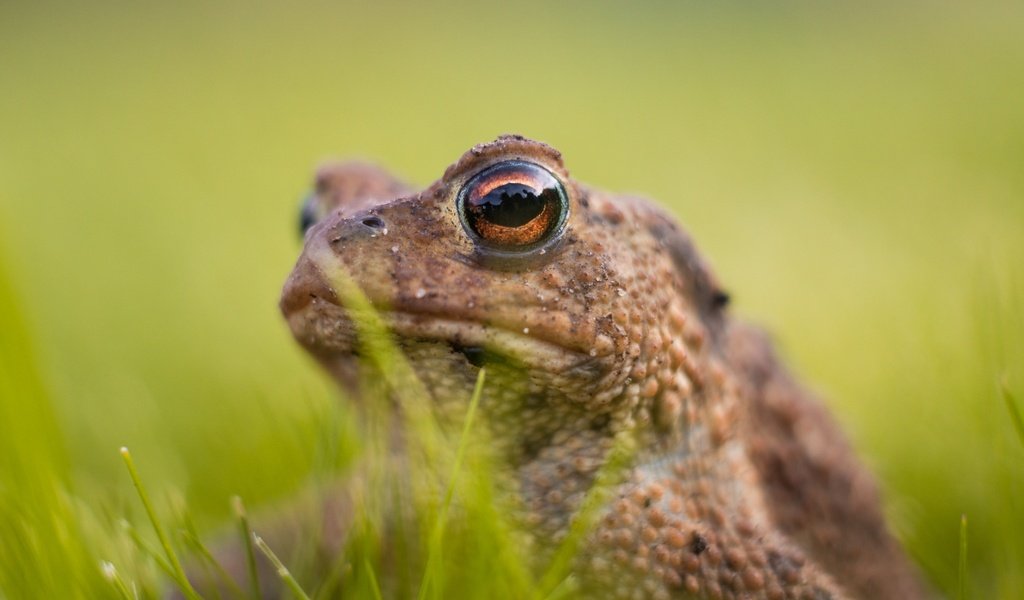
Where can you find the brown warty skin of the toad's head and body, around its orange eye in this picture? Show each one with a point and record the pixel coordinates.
(741, 485)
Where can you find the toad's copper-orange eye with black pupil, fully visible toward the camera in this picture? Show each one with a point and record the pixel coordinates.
(514, 206)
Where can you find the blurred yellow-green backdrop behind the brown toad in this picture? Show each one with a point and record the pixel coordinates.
(855, 173)
